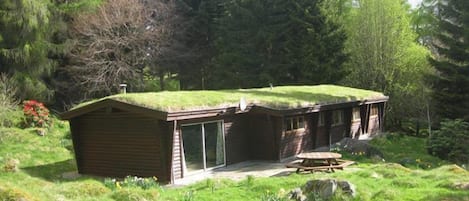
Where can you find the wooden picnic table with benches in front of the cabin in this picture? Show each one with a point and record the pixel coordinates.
(316, 161)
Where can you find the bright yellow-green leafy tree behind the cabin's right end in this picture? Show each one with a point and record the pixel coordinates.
(384, 56)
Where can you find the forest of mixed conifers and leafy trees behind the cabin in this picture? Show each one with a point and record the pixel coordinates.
(63, 52)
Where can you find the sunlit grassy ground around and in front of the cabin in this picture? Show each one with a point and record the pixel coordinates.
(44, 159)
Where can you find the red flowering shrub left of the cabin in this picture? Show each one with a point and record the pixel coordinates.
(36, 114)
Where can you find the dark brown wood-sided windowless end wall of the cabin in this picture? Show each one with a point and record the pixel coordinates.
(116, 143)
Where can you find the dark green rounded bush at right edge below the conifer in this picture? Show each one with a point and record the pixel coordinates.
(450, 141)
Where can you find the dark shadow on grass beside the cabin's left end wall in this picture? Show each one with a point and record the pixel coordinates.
(52, 171)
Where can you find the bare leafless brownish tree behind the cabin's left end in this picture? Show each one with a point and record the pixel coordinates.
(114, 44)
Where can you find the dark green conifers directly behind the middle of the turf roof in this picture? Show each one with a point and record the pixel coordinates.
(279, 42)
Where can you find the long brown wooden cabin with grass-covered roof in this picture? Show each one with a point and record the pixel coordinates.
(171, 135)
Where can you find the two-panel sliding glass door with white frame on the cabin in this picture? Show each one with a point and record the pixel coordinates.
(204, 145)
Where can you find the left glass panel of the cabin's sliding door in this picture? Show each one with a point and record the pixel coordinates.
(193, 147)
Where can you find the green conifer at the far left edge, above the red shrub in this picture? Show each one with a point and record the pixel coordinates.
(25, 46)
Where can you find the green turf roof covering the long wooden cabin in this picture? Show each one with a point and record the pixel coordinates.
(280, 97)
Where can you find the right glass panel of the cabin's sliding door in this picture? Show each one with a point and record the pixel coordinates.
(214, 144)
